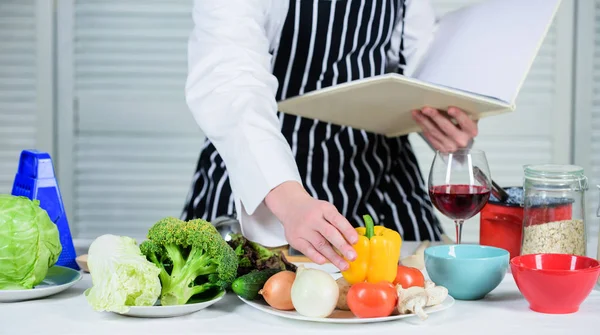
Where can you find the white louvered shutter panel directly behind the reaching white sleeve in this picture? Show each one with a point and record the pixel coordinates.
(135, 142)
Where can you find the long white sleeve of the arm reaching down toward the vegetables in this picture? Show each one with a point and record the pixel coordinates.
(230, 91)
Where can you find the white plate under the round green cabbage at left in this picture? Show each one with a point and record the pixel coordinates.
(58, 279)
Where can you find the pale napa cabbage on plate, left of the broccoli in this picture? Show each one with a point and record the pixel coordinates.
(121, 275)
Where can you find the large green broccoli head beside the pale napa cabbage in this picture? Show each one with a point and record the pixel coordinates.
(193, 257)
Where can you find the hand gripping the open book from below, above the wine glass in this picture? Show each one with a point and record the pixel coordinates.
(441, 133)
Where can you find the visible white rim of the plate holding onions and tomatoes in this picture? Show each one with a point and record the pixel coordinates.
(339, 316)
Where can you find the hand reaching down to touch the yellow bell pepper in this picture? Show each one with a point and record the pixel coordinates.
(312, 226)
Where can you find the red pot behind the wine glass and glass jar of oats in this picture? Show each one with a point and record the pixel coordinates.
(501, 224)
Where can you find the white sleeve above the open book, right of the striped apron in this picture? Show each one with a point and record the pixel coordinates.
(416, 26)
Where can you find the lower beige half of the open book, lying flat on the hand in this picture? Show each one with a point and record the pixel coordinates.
(383, 104)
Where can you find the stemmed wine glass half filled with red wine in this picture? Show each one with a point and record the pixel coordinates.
(460, 184)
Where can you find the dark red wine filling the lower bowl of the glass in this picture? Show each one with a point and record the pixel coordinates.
(459, 202)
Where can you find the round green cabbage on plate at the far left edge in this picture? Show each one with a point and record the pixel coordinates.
(29, 243)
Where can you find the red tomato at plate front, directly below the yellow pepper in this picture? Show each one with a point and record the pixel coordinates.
(372, 300)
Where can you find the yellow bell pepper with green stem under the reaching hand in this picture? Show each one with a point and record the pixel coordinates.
(378, 253)
